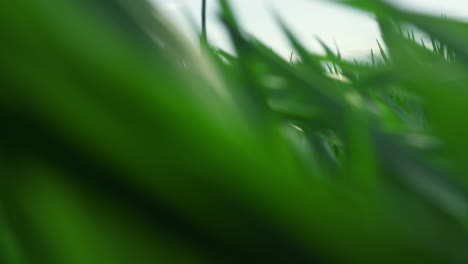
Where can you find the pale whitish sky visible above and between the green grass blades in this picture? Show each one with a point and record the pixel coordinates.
(354, 32)
